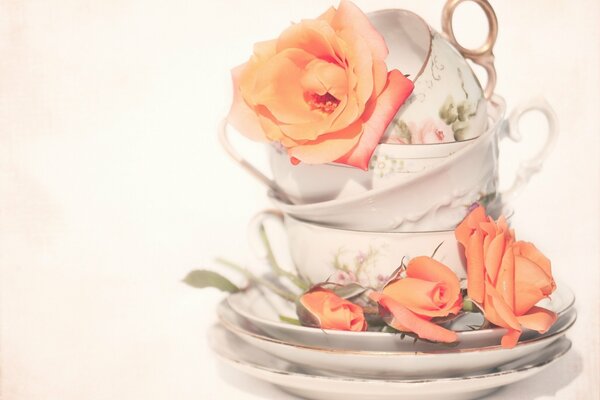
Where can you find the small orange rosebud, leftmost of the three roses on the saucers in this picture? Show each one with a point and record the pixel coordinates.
(322, 308)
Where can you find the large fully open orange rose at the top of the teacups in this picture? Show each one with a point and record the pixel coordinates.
(321, 90)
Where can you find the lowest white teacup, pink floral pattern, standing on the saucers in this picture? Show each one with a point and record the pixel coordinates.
(321, 253)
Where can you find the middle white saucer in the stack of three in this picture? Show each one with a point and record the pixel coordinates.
(406, 363)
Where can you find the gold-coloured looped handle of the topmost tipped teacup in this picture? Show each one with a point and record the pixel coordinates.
(483, 55)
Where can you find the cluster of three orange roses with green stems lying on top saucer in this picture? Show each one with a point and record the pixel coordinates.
(506, 278)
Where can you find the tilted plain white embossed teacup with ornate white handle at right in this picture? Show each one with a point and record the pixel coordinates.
(439, 197)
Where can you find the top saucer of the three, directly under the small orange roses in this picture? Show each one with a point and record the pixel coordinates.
(261, 311)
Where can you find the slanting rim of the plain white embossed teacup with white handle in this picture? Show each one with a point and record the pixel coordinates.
(496, 100)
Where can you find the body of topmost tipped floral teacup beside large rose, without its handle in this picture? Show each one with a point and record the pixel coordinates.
(447, 103)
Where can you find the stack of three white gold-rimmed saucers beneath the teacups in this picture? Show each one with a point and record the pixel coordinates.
(329, 364)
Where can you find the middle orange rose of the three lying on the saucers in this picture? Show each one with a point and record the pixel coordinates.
(430, 289)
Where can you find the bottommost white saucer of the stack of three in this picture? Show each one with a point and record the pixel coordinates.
(312, 385)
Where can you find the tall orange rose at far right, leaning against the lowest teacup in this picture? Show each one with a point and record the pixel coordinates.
(507, 278)
